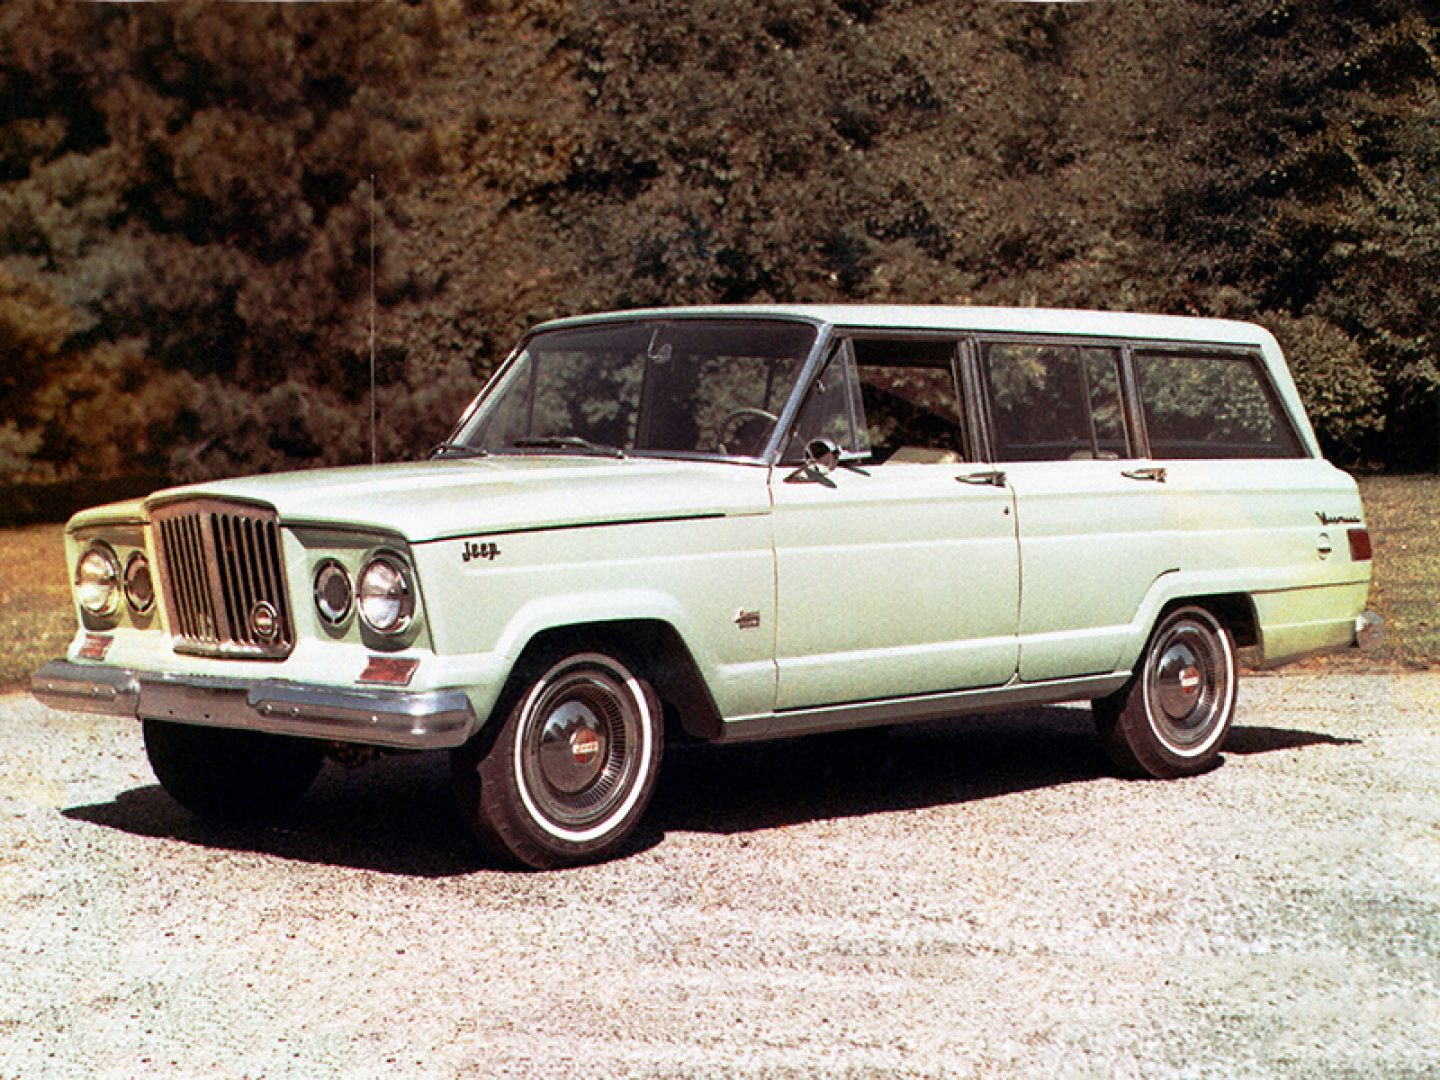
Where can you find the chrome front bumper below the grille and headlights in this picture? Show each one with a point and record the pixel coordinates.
(417, 721)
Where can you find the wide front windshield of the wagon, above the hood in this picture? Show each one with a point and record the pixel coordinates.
(667, 388)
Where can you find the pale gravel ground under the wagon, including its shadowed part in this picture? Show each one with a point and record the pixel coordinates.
(964, 899)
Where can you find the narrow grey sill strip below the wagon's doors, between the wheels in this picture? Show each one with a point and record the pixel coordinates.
(914, 709)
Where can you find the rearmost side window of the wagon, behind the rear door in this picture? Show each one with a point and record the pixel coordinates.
(1212, 407)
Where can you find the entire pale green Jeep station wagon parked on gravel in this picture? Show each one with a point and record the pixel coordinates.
(728, 525)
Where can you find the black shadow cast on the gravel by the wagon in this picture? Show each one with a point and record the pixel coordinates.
(397, 817)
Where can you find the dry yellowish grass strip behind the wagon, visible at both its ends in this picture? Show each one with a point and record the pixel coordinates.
(37, 618)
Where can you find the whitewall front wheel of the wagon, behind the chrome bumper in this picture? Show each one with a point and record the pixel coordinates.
(570, 774)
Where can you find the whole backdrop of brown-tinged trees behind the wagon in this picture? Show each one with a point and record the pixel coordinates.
(185, 211)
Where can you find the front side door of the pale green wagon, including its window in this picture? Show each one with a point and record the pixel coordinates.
(898, 572)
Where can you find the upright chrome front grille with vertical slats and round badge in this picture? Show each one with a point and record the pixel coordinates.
(224, 580)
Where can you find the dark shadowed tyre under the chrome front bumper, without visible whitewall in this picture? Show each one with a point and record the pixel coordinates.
(227, 775)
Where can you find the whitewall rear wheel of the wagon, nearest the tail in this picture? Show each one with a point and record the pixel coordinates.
(1173, 716)
